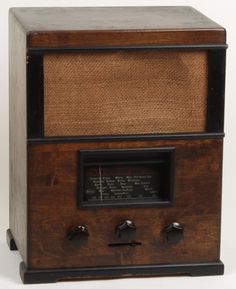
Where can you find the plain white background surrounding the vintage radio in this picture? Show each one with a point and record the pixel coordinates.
(222, 12)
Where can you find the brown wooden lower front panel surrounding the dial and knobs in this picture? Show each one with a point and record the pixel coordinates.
(52, 172)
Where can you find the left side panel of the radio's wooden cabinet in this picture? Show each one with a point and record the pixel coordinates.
(17, 104)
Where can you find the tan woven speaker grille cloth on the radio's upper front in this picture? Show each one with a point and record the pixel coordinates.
(124, 92)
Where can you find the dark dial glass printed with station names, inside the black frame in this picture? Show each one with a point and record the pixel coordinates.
(121, 182)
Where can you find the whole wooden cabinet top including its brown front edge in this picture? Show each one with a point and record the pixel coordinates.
(106, 26)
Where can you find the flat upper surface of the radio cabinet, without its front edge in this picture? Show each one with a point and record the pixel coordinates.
(112, 18)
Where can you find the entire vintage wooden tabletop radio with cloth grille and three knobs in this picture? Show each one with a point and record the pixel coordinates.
(116, 134)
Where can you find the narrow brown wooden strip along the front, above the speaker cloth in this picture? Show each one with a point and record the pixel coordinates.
(98, 38)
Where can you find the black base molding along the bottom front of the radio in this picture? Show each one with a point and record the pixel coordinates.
(29, 276)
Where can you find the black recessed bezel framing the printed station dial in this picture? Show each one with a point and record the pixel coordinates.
(163, 157)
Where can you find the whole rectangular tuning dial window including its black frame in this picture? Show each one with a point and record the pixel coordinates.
(123, 178)
